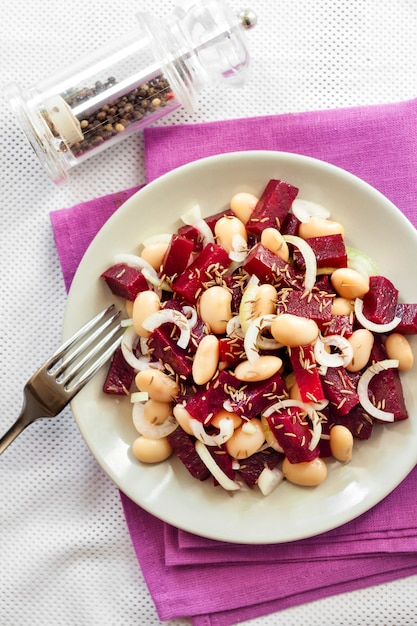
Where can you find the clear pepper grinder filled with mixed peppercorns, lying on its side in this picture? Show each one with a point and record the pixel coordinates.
(158, 67)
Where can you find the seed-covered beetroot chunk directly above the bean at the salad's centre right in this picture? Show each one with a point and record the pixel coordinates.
(315, 305)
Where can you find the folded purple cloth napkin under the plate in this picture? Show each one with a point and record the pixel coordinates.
(220, 584)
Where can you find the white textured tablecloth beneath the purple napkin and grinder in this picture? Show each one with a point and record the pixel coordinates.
(65, 552)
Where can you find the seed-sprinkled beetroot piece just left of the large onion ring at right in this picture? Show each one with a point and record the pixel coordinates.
(339, 387)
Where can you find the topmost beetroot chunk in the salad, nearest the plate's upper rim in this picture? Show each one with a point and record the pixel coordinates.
(272, 206)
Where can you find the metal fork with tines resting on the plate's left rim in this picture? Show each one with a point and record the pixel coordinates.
(67, 371)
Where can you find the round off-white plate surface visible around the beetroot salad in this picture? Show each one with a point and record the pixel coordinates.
(166, 490)
